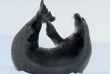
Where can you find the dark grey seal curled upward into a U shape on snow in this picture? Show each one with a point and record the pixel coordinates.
(71, 54)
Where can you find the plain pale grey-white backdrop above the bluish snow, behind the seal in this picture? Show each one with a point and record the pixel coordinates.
(15, 13)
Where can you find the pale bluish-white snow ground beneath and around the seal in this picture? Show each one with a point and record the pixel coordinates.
(99, 63)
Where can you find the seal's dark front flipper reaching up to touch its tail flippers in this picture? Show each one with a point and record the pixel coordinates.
(52, 33)
